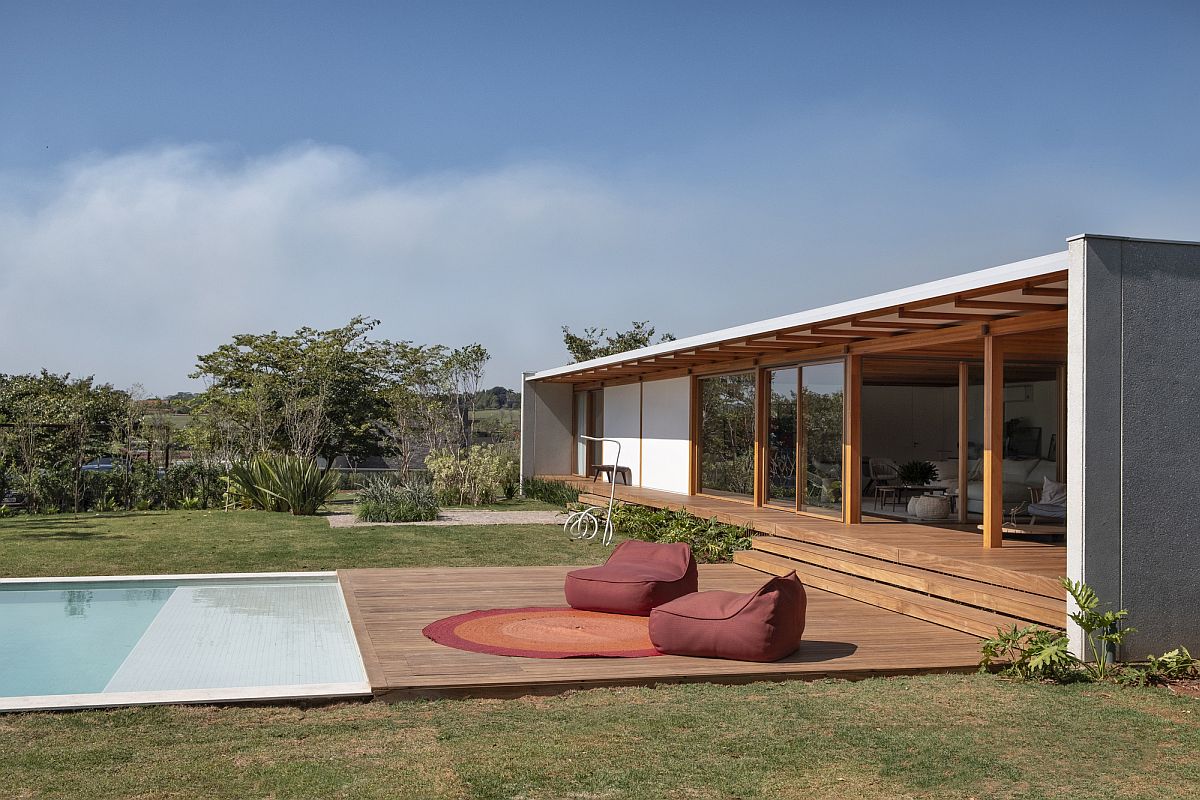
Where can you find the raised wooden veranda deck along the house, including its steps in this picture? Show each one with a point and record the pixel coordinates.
(938, 574)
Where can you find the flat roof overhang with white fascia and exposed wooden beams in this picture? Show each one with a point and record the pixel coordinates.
(943, 318)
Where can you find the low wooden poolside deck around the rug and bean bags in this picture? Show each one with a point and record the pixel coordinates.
(843, 639)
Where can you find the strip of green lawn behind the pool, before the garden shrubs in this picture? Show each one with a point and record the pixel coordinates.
(256, 542)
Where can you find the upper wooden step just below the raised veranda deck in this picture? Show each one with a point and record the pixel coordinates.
(1010, 603)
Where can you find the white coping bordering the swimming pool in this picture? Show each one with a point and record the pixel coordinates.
(353, 690)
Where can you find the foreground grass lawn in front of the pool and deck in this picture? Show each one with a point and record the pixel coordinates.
(937, 737)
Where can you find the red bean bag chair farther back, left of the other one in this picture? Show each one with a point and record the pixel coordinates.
(637, 578)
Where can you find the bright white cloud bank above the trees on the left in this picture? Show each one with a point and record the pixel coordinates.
(130, 266)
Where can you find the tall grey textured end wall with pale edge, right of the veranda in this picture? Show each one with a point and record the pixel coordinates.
(1133, 435)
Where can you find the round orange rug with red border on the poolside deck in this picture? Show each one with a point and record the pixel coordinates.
(545, 634)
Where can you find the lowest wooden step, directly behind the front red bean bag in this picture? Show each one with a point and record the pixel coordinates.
(933, 610)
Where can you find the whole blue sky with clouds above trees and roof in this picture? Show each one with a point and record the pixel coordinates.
(175, 173)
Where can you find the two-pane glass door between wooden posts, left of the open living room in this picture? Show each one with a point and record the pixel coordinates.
(805, 438)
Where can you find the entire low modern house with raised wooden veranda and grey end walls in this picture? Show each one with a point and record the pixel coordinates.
(1081, 368)
